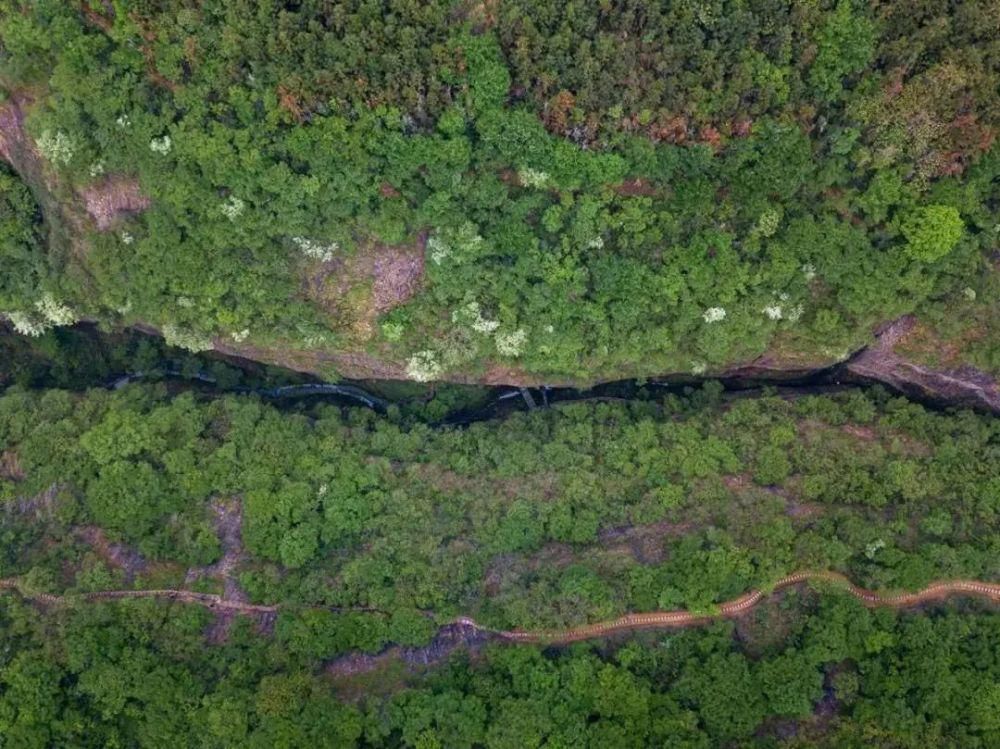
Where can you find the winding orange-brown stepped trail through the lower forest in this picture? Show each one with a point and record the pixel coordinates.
(629, 622)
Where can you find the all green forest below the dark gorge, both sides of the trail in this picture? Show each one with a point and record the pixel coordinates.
(367, 530)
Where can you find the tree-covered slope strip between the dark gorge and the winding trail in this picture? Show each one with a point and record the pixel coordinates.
(545, 519)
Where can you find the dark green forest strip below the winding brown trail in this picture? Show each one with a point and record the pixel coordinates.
(138, 674)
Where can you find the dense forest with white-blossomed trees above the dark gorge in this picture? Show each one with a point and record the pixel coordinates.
(568, 188)
